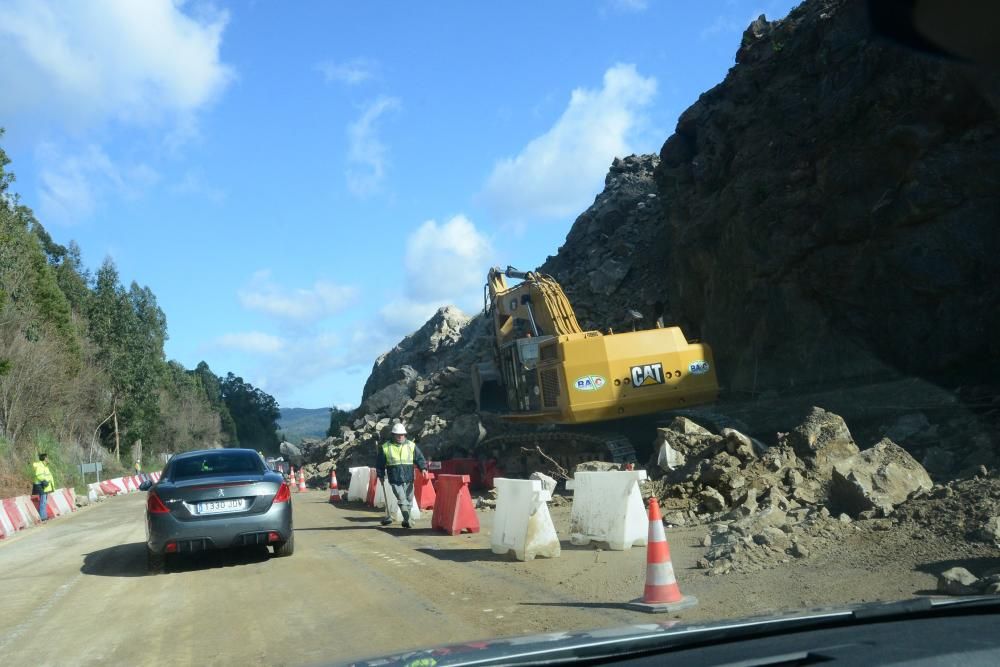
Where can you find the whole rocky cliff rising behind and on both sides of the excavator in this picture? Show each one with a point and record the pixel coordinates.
(824, 217)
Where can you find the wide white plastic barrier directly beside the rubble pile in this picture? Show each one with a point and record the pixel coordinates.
(607, 507)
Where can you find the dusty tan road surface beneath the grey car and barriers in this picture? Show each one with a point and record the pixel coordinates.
(75, 591)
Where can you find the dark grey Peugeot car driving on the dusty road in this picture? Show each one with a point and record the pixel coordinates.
(217, 499)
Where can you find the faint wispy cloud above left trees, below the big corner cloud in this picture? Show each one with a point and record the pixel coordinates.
(72, 185)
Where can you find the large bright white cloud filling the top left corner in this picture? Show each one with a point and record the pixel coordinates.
(84, 62)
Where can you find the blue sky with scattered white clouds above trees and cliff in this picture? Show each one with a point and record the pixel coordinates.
(303, 184)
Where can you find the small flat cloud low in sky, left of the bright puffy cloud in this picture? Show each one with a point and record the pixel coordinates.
(301, 305)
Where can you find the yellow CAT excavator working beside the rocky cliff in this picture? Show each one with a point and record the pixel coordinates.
(548, 370)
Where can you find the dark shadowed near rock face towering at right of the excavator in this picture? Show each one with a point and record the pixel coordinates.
(855, 241)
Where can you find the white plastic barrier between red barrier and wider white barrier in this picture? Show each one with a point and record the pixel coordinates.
(522, 523)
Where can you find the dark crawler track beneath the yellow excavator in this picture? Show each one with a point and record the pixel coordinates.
(556, 452)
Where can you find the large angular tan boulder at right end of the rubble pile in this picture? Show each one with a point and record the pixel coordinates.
(877, 479)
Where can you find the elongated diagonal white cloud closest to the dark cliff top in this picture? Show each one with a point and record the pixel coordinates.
(557, 174)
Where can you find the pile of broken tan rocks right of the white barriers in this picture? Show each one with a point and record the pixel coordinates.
(766, 505)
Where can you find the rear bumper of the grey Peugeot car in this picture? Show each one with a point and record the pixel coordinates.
(221, 532)
